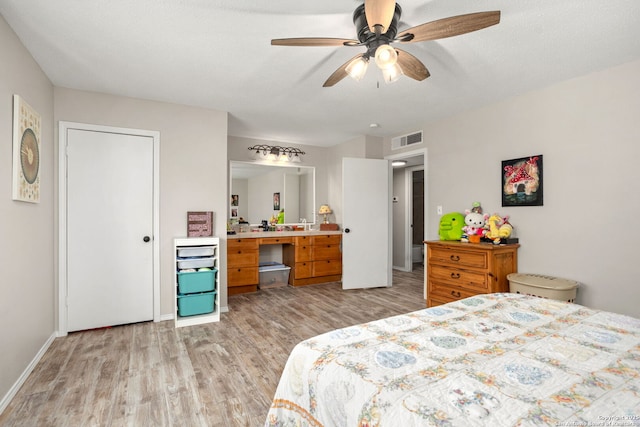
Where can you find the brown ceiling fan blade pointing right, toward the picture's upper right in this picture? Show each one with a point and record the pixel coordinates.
(449, 27)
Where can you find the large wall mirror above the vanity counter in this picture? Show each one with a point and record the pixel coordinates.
(258, 189)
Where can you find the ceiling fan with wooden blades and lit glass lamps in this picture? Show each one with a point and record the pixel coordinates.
(376, 23)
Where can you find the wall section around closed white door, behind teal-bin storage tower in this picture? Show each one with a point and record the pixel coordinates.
(193, 164)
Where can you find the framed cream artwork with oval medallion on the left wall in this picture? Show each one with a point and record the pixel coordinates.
(26, 152)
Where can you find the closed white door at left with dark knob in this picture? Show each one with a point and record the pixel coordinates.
(109, 229)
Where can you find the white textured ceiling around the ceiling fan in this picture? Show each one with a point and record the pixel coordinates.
(217, 54)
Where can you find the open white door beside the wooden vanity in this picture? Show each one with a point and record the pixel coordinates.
(366, 237)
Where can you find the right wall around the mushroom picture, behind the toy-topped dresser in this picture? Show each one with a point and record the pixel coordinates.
(588, 131)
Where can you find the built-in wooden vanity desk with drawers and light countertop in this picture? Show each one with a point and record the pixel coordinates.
(314, 257)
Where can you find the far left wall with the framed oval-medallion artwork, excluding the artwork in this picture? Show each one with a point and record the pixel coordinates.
(27, 259)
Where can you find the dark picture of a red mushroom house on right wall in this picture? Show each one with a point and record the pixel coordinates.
(522, 181)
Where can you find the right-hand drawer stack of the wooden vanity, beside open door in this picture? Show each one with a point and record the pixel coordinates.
(314, 259)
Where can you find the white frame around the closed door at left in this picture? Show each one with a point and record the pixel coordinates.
(63, 127)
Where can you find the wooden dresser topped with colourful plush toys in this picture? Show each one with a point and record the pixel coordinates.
(457, 270)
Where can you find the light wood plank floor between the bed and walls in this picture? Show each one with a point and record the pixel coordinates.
(219, 374)
